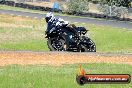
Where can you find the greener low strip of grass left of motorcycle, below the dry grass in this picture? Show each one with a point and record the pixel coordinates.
(33, 45)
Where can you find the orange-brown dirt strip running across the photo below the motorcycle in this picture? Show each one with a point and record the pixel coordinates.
(59, 58)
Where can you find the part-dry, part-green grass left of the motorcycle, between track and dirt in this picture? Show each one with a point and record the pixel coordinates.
(19, 33)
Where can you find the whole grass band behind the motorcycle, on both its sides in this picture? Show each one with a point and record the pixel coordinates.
(21, 33)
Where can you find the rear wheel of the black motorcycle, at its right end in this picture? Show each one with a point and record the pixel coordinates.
(88, 45)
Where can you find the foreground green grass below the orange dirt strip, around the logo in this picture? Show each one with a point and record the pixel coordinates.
(38, 76)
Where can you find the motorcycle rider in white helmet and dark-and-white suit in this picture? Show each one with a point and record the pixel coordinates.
(52, 21)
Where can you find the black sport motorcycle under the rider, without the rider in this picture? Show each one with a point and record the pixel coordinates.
(69, 38)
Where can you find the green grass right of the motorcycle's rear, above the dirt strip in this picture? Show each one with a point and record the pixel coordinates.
(110, 39)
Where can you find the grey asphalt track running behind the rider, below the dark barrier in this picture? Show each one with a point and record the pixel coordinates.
(113, 23)
